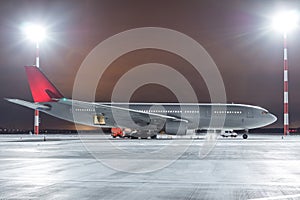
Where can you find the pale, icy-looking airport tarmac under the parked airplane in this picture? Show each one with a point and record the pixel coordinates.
(262, 167)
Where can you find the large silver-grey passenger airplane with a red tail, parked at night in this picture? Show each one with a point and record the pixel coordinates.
(143, 119)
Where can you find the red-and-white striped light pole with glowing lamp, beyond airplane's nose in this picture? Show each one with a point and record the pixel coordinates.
(285, 22)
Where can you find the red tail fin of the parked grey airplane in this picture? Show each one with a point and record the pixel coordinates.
(42, 89)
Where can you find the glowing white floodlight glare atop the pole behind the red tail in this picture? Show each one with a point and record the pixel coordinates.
(34, 32)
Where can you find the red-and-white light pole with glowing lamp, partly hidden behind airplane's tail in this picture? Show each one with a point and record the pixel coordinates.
(35, 33)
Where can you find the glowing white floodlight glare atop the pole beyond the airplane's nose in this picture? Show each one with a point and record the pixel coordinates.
(285, 21)
